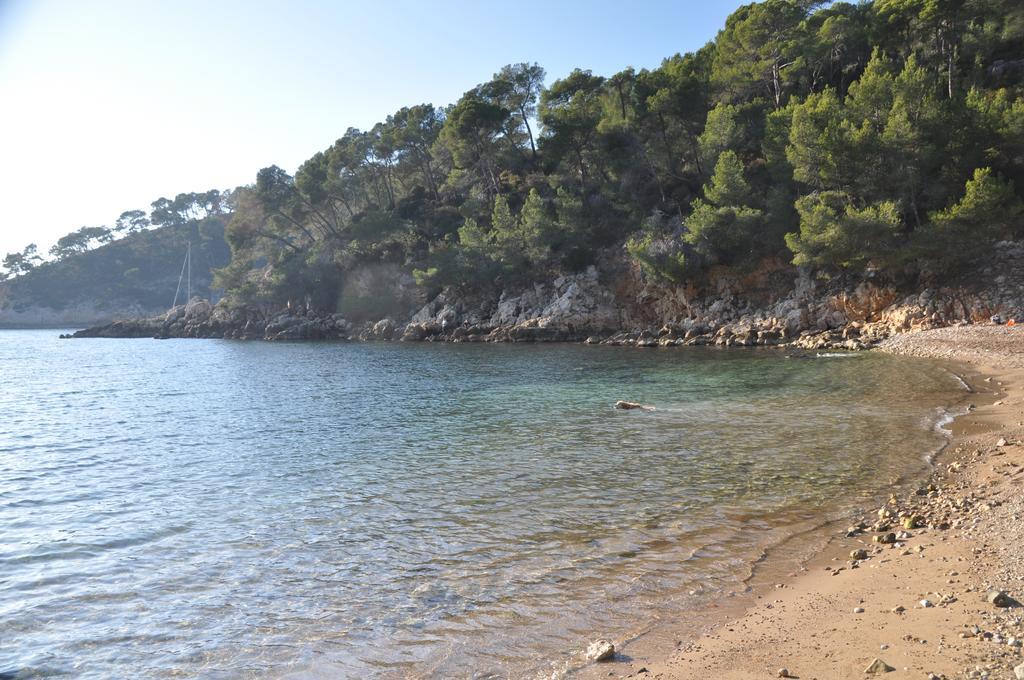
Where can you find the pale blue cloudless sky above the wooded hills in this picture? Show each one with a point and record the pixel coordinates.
(109, 105)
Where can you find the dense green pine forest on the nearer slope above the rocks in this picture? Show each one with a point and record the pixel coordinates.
(883, 136)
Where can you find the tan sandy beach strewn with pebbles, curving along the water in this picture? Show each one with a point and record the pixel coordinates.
(912, 590)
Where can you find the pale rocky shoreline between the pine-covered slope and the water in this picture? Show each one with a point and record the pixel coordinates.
(616, 305)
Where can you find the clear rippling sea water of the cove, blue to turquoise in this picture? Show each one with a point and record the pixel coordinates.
(218, 509)
